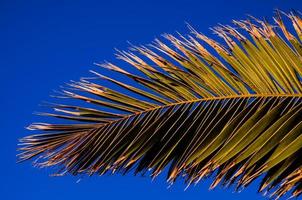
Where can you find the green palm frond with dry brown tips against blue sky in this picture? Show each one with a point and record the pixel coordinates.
(194, 106)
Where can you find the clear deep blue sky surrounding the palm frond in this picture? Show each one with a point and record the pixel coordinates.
(44, 44)
